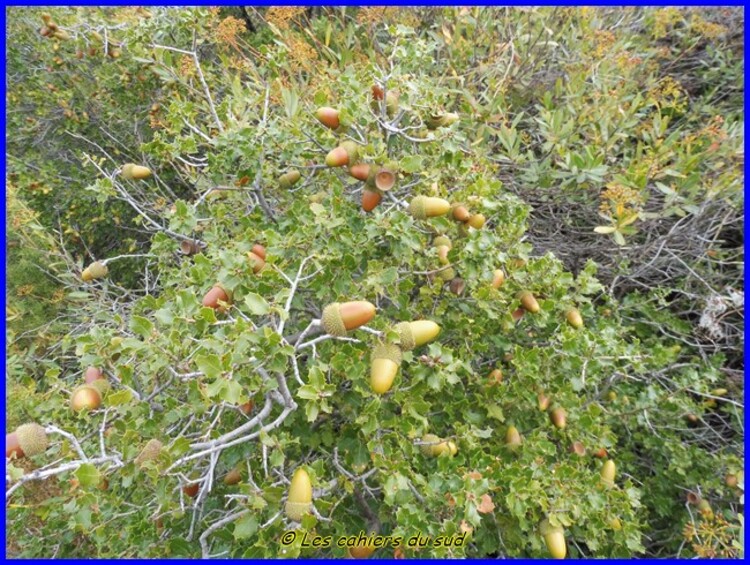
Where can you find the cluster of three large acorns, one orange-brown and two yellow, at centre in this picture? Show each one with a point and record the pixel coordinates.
(339, 318)
